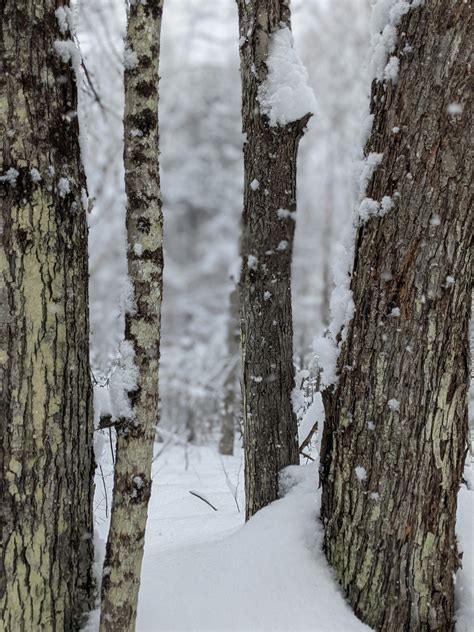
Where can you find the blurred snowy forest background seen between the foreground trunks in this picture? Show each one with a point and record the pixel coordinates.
(202, 184)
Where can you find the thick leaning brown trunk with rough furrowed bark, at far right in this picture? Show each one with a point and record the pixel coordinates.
(396, 429)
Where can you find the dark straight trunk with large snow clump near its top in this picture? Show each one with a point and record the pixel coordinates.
(273, 123)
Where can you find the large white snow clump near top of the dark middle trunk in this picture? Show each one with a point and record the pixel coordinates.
(285, 95)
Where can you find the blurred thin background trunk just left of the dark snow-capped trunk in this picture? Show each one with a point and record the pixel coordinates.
(231, 383)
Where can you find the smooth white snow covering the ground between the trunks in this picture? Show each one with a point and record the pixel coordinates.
(207, 570)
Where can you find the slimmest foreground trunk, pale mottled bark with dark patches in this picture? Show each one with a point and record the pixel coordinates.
(141, 349)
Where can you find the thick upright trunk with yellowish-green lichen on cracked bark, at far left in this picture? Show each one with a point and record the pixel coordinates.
(46, 455)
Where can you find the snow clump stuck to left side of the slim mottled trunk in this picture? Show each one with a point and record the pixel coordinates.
(123, 381)
